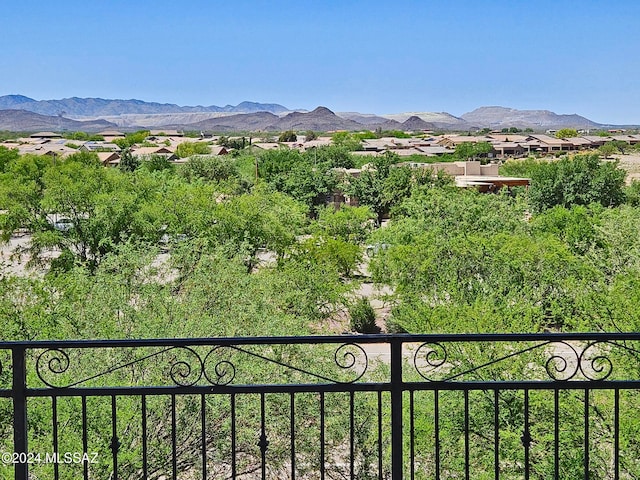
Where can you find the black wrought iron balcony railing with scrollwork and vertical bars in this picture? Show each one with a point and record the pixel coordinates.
(371, 406)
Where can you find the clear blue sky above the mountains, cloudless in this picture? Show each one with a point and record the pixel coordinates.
(368, 56)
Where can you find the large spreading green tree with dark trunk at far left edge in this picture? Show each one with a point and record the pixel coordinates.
(101, 209)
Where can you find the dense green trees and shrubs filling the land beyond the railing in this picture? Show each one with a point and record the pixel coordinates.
(246, 246)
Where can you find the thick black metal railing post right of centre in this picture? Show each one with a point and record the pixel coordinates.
(397, 462)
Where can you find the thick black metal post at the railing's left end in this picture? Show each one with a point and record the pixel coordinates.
(19, 386)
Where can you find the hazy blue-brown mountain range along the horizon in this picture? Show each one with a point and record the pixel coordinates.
(20, 113)
